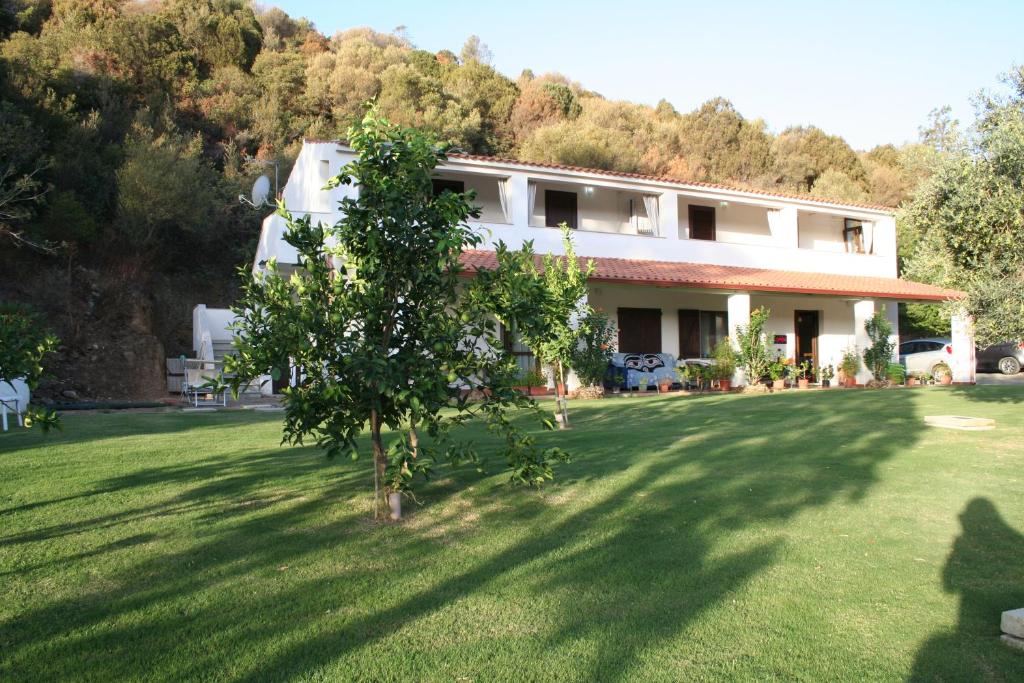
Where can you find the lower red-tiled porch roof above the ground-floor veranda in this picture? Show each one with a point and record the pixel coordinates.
(703, 276)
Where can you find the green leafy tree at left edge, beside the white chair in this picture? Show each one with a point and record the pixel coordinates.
(25, 344)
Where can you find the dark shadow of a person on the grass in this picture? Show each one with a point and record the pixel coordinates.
(987, 569)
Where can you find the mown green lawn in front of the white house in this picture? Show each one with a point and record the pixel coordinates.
(807, 536)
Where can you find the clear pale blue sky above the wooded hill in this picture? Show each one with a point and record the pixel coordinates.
(868, 71)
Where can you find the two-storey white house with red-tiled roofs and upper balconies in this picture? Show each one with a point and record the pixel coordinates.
(678, 265)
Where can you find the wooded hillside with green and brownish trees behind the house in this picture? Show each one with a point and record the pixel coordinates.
(131, 129)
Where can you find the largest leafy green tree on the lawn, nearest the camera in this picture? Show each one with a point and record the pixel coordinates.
(387, 333)
